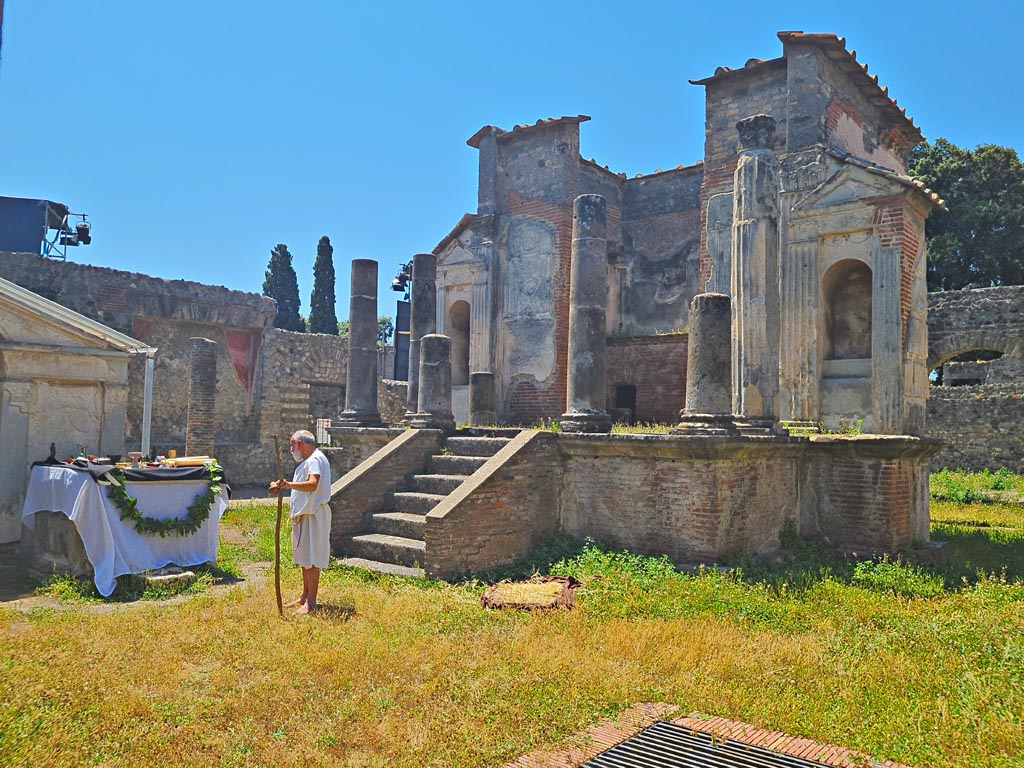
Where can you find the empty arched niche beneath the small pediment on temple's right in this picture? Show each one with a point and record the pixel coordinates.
(847, 295)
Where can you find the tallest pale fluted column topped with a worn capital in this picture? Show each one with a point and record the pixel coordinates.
(755, 277)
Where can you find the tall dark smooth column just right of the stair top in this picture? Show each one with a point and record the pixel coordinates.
(587, 387)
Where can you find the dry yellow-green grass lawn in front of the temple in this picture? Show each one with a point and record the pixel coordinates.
(924, 666)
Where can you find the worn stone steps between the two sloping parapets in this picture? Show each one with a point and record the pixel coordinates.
(394, 540)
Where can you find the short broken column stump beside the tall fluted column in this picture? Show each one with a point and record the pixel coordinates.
(709, 389)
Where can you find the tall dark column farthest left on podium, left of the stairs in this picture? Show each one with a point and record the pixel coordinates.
(361, 380)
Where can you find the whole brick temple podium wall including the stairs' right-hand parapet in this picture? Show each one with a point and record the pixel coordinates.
(691, 499)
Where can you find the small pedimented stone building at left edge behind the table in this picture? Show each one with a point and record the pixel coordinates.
(64, 379)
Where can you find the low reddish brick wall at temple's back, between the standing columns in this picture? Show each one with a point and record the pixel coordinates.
(657, 367)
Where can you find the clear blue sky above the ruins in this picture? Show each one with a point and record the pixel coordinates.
(198, 135)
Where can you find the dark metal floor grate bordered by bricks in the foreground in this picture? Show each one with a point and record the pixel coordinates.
(669, 746)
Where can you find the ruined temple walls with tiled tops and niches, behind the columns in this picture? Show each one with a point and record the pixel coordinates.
(847, 305)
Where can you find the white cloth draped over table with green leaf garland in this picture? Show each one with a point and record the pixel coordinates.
(113, 545)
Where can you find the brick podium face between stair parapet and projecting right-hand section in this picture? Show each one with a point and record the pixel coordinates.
(691, 500)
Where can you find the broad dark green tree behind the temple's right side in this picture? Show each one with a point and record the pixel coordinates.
(979, 242)
